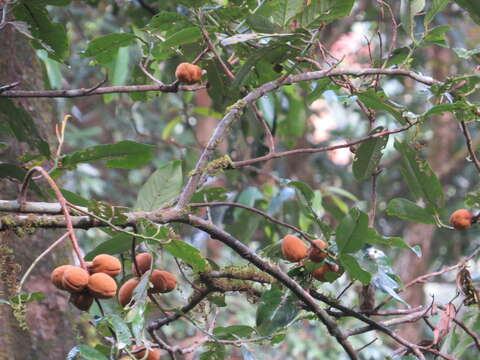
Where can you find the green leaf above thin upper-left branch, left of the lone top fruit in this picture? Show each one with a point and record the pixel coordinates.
(105, 48)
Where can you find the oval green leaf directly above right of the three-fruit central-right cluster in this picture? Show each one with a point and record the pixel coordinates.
(352, 231)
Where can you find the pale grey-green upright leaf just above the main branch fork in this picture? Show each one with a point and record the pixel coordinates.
(163, 185)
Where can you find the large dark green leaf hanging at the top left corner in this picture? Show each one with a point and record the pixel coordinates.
(46, 34)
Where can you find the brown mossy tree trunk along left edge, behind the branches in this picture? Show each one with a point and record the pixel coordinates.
(46, 330)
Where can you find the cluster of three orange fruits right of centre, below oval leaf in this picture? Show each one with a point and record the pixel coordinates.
(295, 250)
